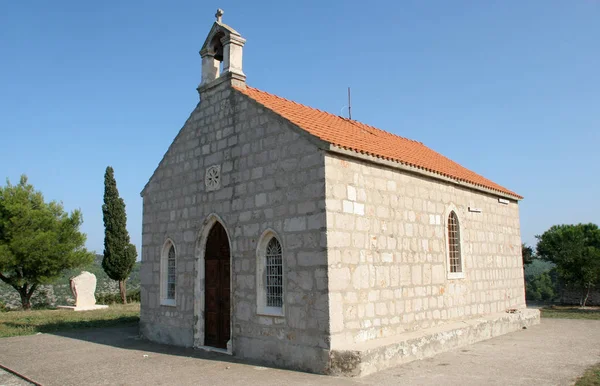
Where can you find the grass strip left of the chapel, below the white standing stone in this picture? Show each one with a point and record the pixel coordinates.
(15, 323)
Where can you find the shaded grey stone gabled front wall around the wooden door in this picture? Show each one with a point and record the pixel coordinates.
(271, 178)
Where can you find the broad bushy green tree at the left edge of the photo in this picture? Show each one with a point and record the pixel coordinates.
(38, 240)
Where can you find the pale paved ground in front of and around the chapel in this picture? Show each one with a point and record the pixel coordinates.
(553, 353)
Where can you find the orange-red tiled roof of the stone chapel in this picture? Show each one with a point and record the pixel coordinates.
(365, 139)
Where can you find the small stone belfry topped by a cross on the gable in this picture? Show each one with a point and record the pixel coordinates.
(222, 56)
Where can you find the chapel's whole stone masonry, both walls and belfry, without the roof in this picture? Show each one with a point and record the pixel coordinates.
(365, 273)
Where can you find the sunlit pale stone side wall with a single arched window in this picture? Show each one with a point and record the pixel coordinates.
(386, 245)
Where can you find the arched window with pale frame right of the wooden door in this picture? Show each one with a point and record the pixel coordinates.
(270, 282)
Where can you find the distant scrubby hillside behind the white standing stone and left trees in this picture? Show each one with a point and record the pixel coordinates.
(59, 293)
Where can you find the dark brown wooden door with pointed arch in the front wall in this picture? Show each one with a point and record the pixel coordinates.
(217, 331)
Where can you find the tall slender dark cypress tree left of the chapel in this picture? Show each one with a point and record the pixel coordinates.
(119, 253)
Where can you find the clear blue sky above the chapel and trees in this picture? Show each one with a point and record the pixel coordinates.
(509, 89)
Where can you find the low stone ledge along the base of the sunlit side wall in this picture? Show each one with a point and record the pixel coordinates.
(369, 357)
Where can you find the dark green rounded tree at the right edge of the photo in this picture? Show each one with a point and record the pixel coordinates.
(575, 249)
